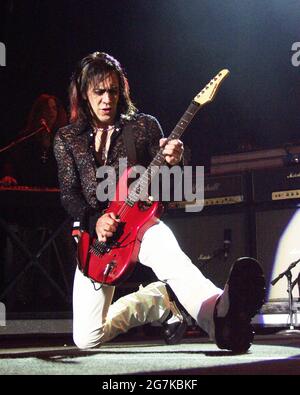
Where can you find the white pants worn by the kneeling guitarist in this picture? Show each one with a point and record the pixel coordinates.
(96, 320)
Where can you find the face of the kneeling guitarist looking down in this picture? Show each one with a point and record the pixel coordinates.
(103, 98)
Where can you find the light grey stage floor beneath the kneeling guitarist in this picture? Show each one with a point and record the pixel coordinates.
(270, 354)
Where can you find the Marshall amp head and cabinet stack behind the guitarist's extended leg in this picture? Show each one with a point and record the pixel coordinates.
(223, 222)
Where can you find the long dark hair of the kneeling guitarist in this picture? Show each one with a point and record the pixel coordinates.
(92, 69)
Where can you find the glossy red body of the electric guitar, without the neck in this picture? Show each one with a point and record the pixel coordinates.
(112, 262)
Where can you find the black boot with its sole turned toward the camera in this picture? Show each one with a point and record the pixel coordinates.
(246, 293)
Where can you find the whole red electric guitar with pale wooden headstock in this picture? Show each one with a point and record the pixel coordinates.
(111, 262)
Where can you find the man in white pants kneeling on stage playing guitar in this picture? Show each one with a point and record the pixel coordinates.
(101, 109)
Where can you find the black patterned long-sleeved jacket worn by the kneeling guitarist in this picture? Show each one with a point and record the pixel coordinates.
(77, 167)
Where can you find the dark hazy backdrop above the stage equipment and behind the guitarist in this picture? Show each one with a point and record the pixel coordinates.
(170, 50)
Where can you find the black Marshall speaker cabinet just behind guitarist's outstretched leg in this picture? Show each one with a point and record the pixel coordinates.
(202, 237)
